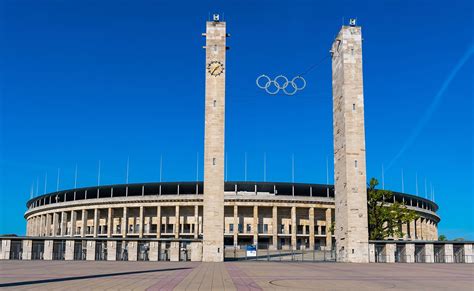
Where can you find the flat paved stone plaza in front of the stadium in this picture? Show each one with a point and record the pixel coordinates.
(74, 275)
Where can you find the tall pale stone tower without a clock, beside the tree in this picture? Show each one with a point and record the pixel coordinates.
(351, 229)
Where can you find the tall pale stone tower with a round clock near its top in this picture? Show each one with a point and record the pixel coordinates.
(213, 240)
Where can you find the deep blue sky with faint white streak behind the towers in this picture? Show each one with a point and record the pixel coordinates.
(83, 81)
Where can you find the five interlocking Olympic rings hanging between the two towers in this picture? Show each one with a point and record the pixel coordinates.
(281, 83)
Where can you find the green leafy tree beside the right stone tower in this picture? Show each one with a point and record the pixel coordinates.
(385, 216)
